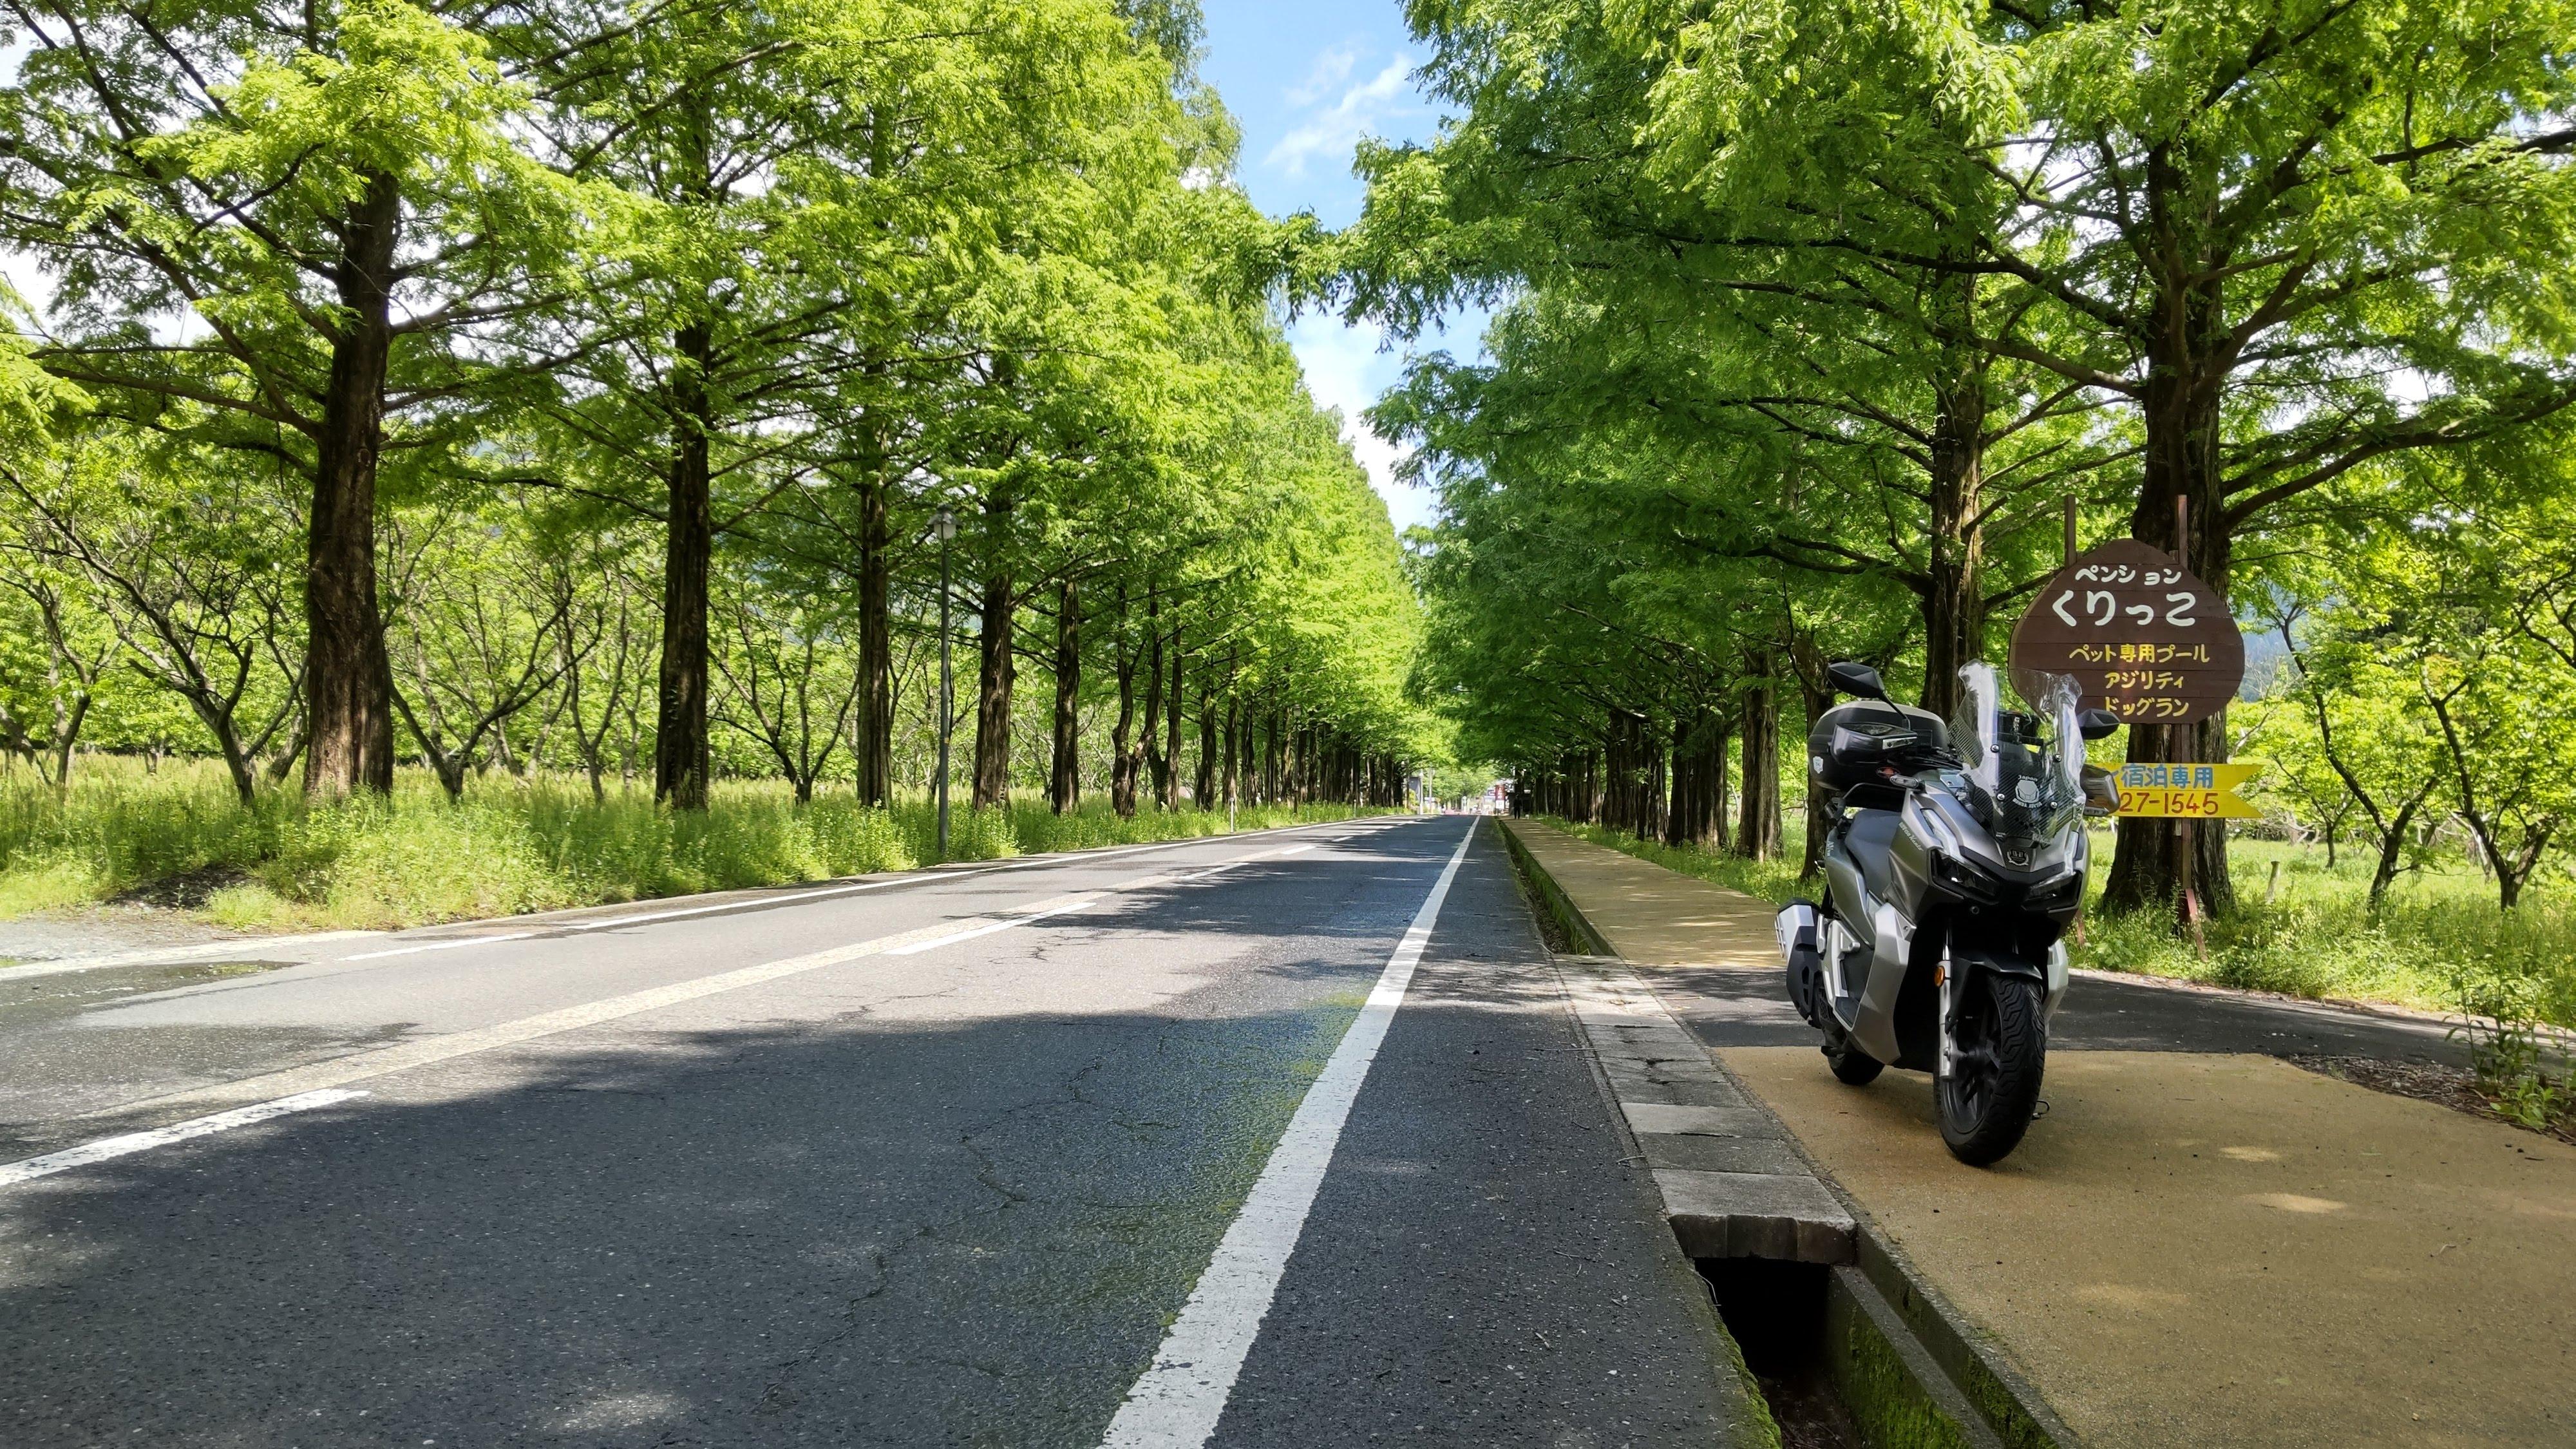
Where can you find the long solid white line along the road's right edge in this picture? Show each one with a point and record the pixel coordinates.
(1181, 1399)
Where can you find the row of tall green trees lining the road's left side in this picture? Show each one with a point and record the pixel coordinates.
(568, 383)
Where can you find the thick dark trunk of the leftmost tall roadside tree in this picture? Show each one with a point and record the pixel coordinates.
(349, 682)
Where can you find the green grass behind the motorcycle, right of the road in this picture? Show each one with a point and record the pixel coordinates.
(2436, 942)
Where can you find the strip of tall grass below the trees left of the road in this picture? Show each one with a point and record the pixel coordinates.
(509, 847)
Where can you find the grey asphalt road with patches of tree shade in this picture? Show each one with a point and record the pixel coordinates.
(934, 1162)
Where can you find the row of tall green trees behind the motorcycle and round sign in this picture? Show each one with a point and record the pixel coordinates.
(1812, 318)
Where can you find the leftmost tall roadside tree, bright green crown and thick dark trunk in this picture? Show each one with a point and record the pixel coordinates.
(336, 205)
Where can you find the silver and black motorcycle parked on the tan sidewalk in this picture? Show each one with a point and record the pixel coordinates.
(1954, 868)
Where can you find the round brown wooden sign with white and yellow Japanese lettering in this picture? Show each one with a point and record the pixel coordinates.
(2142, 638)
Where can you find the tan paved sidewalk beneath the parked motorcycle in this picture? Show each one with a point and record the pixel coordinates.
(2199, 1244)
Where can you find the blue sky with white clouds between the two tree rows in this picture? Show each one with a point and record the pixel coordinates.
(1307, 81)
